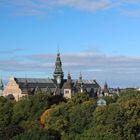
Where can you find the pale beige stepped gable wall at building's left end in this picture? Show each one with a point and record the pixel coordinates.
(12, 90)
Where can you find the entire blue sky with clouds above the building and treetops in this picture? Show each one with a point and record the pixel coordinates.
(100, 38)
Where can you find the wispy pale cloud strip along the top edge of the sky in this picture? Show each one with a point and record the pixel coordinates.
(42, 7)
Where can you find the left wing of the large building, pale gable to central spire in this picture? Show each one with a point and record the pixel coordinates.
(20, 87)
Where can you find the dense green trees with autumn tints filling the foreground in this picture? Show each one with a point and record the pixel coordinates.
(45, 117)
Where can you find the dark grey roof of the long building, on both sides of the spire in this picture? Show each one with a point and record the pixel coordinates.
(49, 85)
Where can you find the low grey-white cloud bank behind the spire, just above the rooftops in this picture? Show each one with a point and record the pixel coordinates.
(118, 70)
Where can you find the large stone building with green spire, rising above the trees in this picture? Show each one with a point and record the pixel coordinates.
(20, 87)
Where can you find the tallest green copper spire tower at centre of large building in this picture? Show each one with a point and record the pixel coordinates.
(58, 73)
